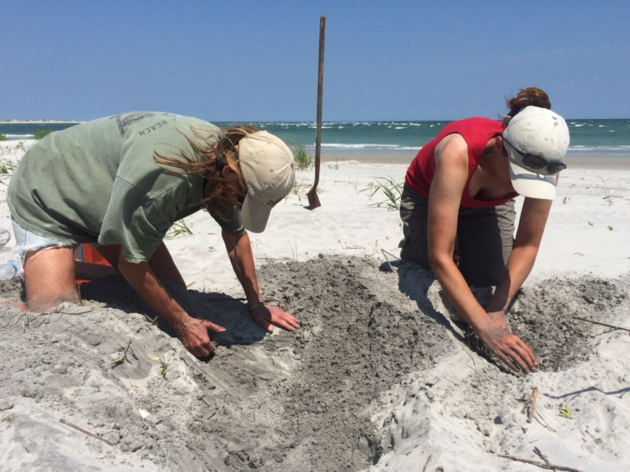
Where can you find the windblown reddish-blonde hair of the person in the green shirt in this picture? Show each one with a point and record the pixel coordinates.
(203, 143)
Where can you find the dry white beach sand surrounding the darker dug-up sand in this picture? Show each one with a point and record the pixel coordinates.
(442, 412)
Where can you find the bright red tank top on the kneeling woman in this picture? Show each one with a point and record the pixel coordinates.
(476, 132)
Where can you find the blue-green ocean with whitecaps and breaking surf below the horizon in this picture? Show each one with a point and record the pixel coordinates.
(588, 137)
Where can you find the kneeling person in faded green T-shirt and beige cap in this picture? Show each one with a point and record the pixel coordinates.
(122, 182)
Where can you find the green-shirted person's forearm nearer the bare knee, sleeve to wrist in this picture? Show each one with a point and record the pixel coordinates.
(148, 286)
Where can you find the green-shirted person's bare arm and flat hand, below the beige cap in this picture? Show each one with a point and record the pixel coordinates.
(240, 251)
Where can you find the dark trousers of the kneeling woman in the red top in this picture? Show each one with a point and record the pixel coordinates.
(484, 241)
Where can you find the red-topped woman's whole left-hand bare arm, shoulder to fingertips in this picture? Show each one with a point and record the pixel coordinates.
(447, 187)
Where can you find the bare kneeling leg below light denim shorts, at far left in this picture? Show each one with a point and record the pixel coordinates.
(49, 279)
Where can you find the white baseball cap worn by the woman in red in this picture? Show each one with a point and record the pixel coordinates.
(540, 132)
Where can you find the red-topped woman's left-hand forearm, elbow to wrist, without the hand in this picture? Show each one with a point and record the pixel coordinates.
(458, 292)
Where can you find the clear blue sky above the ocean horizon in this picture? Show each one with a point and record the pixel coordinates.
(257, 60)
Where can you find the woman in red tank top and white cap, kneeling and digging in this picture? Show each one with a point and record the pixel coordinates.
(458, 212)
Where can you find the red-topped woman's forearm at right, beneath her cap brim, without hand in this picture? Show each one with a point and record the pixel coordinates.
(518, 268)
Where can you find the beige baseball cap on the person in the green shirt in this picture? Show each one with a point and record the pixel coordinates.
(268, 170)
